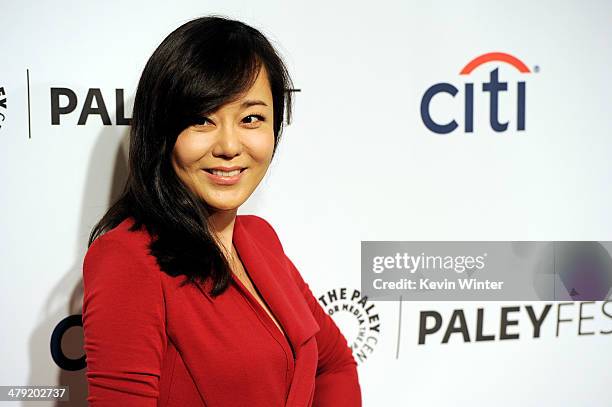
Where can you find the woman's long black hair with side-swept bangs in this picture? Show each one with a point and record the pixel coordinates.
(203, 64)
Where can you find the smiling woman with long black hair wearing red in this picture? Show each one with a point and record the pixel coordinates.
(186, 303)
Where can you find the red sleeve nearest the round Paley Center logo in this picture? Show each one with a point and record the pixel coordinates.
(337, 383)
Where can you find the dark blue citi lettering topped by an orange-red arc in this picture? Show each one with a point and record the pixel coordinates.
(493, 89)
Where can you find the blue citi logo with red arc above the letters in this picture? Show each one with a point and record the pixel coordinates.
(493, 87)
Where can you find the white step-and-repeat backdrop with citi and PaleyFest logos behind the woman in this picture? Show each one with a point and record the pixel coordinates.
(413, 121)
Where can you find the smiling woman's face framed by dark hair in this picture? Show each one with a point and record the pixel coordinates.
(239, 134)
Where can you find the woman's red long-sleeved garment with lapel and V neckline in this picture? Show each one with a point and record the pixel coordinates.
(149, 342)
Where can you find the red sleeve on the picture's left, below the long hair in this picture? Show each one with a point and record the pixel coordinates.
(123, 324)
